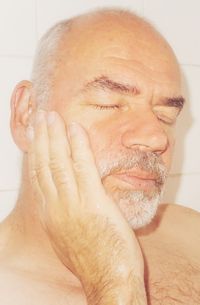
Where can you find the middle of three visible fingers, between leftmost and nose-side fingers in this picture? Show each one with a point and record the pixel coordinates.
(60, 159)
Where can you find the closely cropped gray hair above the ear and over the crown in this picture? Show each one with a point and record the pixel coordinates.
(46, 59)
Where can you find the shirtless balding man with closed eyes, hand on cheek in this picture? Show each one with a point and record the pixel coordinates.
(96, 126)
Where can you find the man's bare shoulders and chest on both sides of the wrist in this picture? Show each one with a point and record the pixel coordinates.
(171, 247)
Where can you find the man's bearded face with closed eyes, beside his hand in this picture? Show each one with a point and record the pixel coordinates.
(123, 86)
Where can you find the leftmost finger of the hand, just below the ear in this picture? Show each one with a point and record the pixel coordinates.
(39, 157)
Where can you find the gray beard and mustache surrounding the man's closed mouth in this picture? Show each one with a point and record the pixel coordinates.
(137, 206)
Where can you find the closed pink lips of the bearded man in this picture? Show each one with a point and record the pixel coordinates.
(137, 180)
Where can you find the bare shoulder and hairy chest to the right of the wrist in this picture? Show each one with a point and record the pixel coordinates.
(172, 254)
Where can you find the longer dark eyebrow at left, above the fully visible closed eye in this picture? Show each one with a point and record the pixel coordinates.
(104, 83)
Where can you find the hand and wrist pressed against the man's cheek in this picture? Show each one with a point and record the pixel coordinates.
(85, 227)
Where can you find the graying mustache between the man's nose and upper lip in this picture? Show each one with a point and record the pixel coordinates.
(148, 162)
